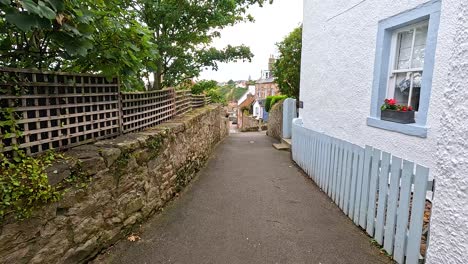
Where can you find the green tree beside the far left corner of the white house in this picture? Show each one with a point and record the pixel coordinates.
(287, 68)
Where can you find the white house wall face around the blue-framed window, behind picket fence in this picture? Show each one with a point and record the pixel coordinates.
(338, 73)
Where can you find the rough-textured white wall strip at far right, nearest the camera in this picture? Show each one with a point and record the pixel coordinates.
(449, 224)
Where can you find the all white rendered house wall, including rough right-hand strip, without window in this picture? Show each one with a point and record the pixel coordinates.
(339, 47)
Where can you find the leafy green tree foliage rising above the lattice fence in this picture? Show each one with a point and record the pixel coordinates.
(132, 39)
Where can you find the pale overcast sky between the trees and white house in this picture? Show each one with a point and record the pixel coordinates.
(272, 24)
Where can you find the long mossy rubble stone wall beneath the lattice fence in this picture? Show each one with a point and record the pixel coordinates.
(133, 176)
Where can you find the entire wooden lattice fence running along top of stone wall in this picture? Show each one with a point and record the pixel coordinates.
(54, 110)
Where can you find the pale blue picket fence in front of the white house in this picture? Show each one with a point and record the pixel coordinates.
(383, 194)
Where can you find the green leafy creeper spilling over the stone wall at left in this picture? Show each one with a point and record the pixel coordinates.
(24, 185)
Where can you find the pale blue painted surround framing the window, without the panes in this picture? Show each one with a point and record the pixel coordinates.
(427, 14)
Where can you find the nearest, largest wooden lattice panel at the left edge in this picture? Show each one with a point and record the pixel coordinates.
(57, 110)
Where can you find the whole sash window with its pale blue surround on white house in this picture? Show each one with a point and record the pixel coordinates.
(404, 64)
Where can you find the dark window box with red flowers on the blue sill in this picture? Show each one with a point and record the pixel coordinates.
(390, 111)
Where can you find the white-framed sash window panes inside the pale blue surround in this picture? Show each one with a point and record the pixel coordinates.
(406, 64)
